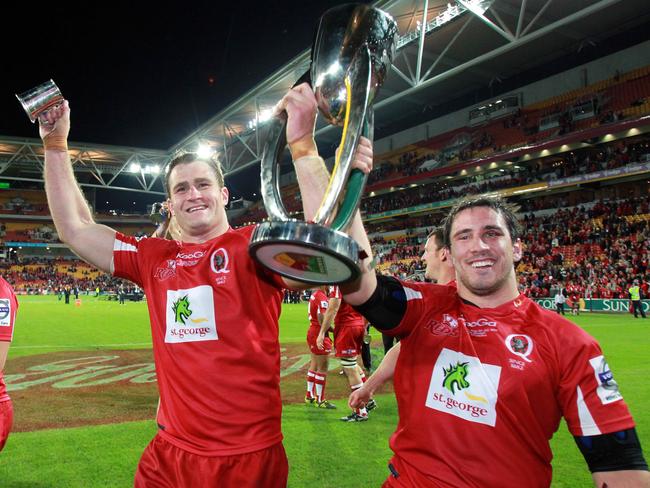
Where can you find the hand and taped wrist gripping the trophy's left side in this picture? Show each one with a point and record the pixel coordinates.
(301, 107)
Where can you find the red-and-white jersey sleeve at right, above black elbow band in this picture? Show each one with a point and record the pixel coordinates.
(589, 396)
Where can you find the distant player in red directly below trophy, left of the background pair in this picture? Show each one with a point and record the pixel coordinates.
(322, 309)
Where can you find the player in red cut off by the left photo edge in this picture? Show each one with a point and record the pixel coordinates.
(8, 308)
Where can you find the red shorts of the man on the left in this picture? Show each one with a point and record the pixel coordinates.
(164, 465)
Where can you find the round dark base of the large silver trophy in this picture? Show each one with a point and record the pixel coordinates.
(304, 252)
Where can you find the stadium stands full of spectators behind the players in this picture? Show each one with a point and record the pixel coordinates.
(573, 163)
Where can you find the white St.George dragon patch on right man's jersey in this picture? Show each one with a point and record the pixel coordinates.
(464, 387)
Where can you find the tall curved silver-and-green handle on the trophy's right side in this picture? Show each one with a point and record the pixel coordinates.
(339, 204)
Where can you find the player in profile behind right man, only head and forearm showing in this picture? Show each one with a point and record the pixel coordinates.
(439, 269)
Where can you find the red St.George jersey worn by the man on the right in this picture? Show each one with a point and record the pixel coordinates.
(481, 391)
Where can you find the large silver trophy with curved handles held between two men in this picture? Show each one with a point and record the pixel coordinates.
(352, 52)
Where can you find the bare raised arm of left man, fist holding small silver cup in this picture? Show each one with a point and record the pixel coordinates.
(70, 211)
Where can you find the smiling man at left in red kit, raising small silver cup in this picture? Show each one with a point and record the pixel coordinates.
(217, 353)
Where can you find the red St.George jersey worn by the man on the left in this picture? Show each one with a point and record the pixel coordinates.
(214, 321)
